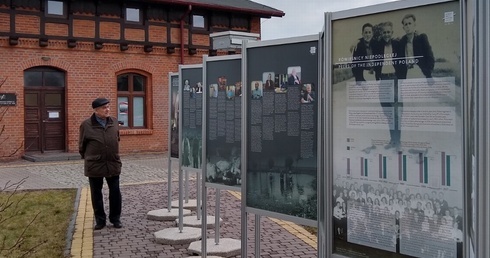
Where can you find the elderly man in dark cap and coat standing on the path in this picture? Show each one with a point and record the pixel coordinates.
(99, 147)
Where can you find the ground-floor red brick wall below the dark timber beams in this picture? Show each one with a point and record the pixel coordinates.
(90, 74)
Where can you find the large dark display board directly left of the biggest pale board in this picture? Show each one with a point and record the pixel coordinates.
(281, 123)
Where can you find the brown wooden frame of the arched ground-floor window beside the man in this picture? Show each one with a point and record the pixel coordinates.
(130, 94)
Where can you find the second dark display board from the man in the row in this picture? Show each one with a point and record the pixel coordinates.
(191, 116)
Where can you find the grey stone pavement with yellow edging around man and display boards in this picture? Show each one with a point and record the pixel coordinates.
(144, 188)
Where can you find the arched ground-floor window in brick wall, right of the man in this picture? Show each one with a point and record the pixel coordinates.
(131, 100)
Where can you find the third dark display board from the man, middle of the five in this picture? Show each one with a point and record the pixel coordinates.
(223, 107)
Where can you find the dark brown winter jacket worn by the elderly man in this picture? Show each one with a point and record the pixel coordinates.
(99, 147)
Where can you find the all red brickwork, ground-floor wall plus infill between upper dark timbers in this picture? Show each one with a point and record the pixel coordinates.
(92, 73)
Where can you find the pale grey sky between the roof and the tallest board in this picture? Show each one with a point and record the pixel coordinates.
(304, 17)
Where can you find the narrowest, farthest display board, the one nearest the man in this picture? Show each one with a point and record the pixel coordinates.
(173, 79)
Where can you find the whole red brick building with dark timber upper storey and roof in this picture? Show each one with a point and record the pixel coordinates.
(57, 56)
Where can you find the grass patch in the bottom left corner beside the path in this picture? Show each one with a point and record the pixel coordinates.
(35, 223)
